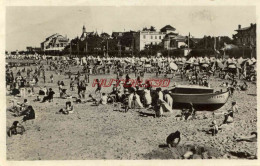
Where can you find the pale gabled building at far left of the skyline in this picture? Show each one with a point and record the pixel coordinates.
(54, 42)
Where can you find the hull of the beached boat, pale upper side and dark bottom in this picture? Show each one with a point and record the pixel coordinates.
(207, 102)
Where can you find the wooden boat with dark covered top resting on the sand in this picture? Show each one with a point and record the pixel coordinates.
(202, 98)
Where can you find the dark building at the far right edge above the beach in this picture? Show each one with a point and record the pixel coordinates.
(246, 36)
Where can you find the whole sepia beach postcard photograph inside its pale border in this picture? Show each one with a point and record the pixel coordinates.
(131, 82)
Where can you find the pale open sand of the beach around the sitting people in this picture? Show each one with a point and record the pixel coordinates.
(103, 132)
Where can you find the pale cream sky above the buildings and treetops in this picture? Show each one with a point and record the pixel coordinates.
(29, 26)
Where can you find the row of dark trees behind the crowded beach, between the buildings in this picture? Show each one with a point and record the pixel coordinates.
(124, 45)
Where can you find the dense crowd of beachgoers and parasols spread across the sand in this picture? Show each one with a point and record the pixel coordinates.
(142, 96)
